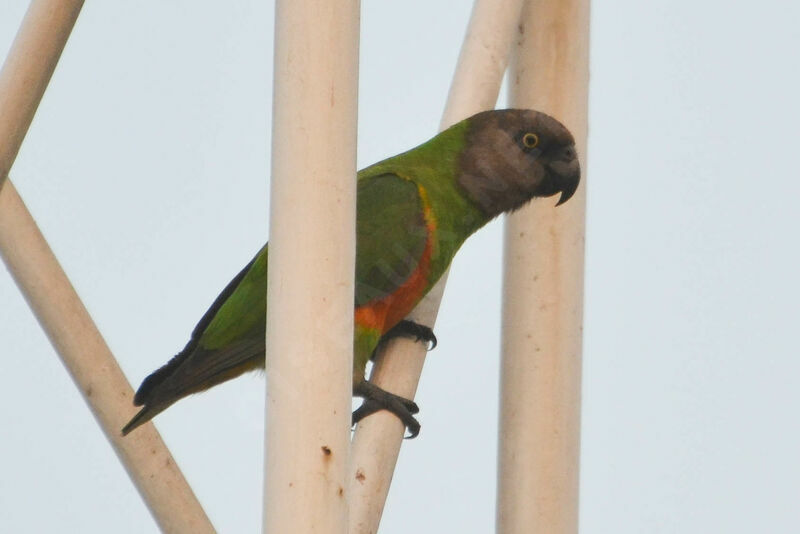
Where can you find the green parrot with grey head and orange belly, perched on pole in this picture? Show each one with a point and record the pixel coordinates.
(413, 212)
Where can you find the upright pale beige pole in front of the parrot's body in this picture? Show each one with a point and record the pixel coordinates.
(311, 265)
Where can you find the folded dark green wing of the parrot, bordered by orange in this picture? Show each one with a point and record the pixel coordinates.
(390, 234)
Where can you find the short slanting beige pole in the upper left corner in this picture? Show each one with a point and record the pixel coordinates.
(27, 70)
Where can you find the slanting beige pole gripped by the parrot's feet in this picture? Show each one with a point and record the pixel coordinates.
(377, 440)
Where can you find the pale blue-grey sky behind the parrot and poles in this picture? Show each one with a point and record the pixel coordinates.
(147, 170)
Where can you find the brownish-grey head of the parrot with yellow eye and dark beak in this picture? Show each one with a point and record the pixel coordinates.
(513, 155)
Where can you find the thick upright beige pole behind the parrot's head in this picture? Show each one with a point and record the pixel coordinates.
(543, 292)
